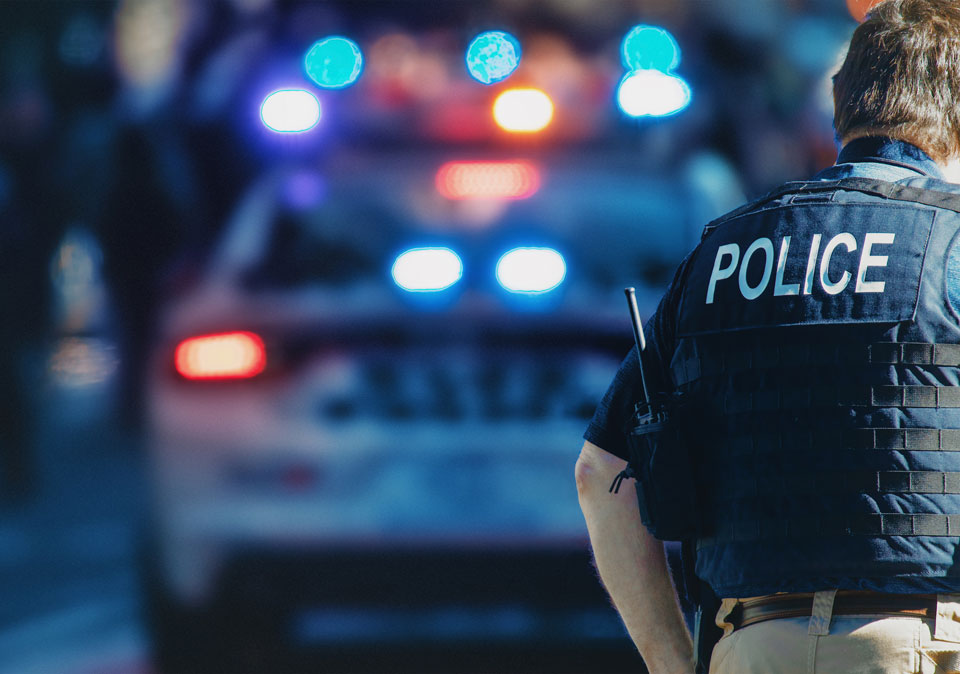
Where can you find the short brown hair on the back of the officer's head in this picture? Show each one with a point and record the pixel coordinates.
(901, 76)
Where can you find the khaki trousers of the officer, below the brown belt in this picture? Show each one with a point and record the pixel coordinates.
(827, 644)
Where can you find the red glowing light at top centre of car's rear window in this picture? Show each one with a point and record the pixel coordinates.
(488, 179)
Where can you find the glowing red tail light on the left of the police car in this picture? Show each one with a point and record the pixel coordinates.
(229, 355)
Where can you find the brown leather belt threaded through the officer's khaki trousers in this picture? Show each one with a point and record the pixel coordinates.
(848, 602)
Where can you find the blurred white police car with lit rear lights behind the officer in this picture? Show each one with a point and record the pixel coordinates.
(364, 417)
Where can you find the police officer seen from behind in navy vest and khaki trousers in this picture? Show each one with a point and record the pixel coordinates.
(811, 346)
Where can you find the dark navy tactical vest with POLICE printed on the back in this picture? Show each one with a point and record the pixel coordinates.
(821, 357)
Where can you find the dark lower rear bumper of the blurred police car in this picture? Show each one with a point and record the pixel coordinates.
(355, 597)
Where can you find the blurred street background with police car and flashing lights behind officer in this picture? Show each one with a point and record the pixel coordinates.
(305, 306)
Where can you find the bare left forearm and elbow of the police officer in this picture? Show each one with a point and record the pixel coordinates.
(632, 565)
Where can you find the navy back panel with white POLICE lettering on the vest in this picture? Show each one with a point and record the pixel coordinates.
(835, 263)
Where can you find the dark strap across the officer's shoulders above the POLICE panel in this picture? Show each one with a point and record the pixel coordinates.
(880, 188)
